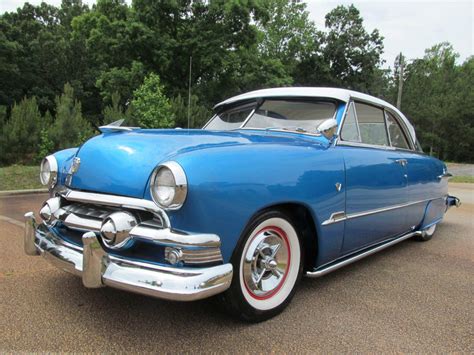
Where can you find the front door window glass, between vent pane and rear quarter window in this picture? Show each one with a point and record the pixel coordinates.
(371, 124)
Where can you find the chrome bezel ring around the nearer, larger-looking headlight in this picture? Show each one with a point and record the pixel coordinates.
(180, 186)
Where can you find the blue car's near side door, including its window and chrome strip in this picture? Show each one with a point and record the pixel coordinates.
(376, 179)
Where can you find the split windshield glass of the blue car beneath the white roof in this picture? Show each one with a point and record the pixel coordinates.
(298, 115)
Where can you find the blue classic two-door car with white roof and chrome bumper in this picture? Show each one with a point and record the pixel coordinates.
(279, 183)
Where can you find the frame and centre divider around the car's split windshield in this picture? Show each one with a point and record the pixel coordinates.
(260, 101)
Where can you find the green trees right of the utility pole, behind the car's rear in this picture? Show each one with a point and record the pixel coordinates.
(439, 99)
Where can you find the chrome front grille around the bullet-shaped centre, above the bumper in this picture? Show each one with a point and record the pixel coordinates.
(78, 212)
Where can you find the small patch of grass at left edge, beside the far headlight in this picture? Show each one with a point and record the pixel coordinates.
(19, 177)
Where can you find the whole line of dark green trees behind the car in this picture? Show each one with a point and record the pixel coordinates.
(106, 52)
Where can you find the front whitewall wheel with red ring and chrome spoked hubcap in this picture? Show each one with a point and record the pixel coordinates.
(267, 267)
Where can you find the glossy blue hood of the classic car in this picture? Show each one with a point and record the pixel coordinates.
(121, 162)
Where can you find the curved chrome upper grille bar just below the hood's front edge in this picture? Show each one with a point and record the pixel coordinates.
(117, 201)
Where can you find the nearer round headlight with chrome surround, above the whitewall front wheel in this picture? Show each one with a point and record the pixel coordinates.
(169, 186)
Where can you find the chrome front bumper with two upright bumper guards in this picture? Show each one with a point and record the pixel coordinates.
(97, 268)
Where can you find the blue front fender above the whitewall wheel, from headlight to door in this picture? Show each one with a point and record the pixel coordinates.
(228, 185)
